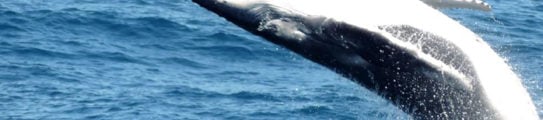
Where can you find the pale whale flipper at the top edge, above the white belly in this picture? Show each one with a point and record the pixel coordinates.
(470, 4)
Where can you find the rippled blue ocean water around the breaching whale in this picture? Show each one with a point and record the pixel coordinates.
(171, 59)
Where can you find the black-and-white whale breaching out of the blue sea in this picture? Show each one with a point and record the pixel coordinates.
(422, 61)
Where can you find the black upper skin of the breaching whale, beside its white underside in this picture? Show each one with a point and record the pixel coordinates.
(371, 60)
